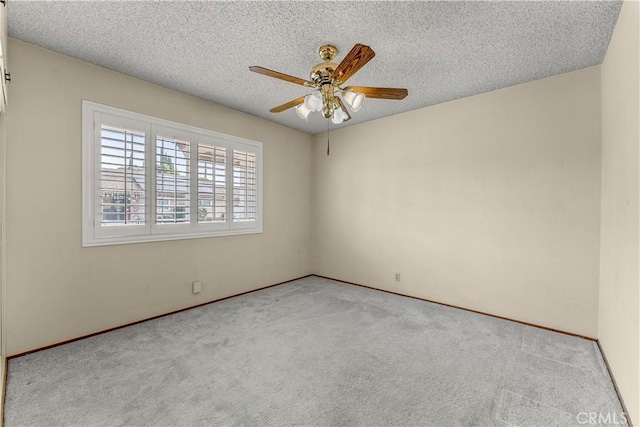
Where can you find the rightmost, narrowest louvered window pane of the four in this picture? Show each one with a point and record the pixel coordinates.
(244, 186)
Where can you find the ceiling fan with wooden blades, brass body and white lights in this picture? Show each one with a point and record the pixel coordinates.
(326, 80)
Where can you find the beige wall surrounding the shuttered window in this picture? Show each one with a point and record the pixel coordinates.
(57, 290)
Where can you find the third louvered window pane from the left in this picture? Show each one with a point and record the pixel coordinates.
(212, 198)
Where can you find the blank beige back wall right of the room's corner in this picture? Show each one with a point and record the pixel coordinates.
(490, 202)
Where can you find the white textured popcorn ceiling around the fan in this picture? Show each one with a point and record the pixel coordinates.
(439, 51)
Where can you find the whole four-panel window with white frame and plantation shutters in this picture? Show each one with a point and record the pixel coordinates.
(147, 179)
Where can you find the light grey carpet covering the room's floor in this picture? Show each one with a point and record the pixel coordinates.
(314, 352)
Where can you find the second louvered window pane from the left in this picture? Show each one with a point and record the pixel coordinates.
(173, 185)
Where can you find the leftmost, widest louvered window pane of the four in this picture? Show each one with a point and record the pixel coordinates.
(122, 176)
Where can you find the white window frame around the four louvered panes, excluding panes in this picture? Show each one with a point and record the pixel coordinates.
(94, 234)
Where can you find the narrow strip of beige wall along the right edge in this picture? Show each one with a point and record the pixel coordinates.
(619, 321)
